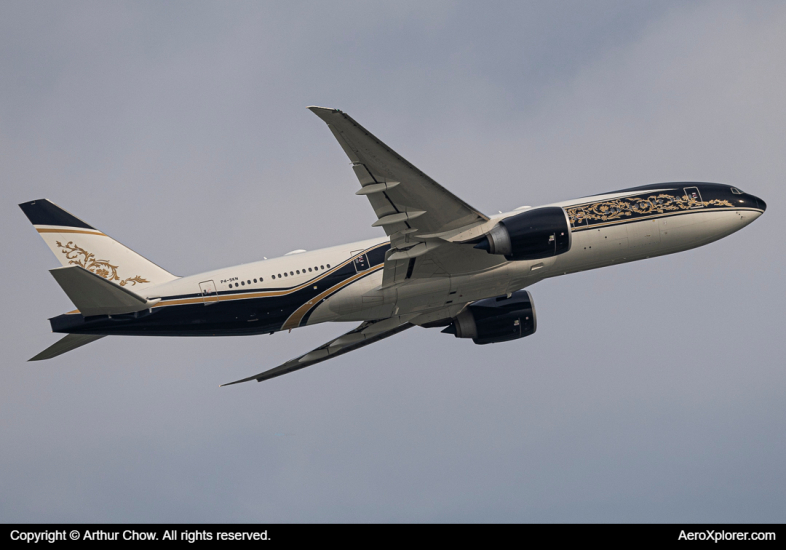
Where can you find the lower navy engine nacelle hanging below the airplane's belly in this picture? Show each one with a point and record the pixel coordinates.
(496, 319)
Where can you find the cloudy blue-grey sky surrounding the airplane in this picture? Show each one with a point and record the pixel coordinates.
(652, 391)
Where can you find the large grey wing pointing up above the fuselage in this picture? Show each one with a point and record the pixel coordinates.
(404, 199)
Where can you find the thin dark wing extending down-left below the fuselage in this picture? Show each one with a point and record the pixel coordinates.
(367, 333)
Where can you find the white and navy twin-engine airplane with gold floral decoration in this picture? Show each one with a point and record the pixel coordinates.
(442, 264)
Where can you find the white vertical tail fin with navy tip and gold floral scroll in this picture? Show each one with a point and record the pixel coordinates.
(76, 243)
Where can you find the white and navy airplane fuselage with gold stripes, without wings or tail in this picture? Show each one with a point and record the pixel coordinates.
(345, 283)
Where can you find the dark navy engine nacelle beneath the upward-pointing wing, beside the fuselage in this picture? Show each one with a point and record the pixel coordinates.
(532, 235)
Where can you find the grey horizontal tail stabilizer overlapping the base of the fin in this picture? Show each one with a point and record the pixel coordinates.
(94, 295)
